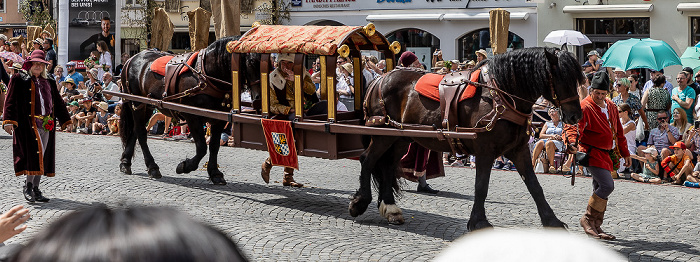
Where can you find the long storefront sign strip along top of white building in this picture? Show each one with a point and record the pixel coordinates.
(339, 5)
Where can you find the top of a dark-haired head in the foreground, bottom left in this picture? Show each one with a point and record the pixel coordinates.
(134, 234)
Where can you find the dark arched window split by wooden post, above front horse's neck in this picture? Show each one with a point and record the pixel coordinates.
(471, 42)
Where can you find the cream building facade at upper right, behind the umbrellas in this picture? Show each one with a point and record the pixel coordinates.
(677, 22)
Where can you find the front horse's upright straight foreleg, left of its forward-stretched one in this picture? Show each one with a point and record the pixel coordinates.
(477, 219)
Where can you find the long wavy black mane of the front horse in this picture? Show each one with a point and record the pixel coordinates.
(529, 72)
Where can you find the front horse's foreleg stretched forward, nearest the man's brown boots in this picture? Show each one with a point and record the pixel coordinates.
(520, 158)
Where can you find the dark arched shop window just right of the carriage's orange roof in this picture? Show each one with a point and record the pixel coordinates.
(420, 42)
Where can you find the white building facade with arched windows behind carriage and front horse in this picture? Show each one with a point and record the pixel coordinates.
(457, 27)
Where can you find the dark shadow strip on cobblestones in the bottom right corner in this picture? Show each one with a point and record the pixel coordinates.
(633, 248)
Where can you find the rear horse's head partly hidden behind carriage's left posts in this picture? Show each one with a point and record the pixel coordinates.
(218, 64)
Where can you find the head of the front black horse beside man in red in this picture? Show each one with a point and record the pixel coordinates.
(566, 77)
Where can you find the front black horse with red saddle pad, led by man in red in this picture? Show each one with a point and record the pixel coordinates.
(526, 73)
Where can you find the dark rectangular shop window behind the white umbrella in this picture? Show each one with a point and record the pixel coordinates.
(603, 32)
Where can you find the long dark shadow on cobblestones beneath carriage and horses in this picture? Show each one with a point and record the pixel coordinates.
(320, 201)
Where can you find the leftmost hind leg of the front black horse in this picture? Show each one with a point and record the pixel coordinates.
(363, 196)
